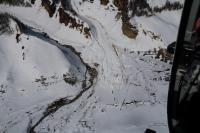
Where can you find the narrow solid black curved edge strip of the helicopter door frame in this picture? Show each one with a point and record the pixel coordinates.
(173, 95)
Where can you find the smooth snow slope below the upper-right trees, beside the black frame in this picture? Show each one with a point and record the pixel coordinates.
(166, 24)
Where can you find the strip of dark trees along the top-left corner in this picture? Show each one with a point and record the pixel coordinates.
(15, 3)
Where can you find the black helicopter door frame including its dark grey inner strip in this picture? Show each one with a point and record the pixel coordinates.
(190, 11)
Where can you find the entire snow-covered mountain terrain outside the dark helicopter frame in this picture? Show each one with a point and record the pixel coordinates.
(69, 66)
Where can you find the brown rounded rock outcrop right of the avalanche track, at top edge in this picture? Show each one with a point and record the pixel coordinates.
(127, 28)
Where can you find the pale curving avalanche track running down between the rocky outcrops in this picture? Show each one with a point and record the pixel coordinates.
(112, 70)
